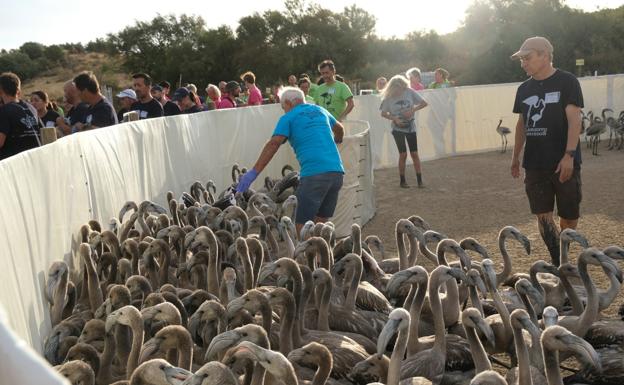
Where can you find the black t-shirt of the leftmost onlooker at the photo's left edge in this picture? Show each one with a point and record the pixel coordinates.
(21, 125)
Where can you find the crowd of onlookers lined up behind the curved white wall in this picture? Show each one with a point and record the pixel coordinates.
(85, 107)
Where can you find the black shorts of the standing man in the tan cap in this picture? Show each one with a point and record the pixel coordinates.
(543, 189)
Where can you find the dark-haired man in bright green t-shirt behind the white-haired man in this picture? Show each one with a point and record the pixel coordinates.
(334, 95)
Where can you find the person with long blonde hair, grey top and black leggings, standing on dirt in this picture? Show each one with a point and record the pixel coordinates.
(399, 104)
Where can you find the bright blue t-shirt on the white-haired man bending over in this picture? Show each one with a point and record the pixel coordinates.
(308, 129)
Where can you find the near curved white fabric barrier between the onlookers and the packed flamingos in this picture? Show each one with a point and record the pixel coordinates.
(48, 193)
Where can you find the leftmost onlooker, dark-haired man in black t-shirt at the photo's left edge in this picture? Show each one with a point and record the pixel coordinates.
(19, 124)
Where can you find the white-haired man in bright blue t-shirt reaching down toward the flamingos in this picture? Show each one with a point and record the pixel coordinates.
(308, 128)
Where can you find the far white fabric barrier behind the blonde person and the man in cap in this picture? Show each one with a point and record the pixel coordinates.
(463, 120)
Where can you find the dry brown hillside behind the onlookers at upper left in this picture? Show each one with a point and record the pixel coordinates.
(108, 70)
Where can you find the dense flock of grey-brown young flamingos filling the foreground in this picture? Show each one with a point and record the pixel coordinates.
(188, 295)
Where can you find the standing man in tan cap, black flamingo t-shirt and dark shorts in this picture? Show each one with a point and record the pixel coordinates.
(548, 105)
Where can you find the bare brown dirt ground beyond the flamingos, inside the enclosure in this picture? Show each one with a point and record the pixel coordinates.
(476, 196)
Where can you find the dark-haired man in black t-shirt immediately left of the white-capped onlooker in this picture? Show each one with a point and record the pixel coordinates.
(100, 113)
